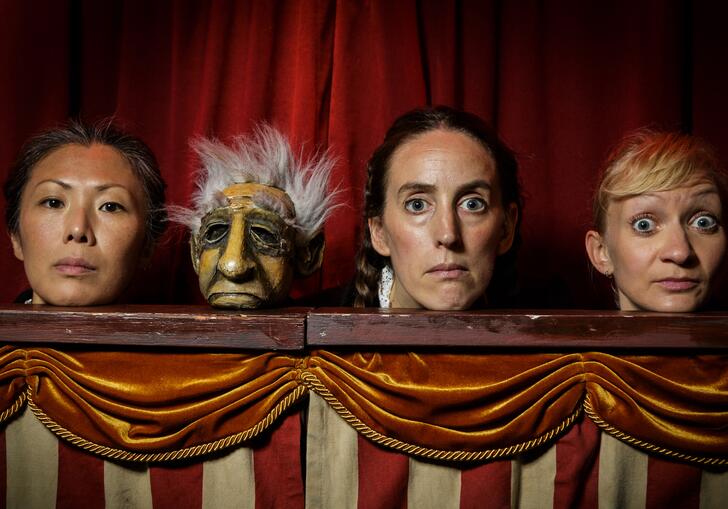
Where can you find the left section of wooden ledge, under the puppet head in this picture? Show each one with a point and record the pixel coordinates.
(158, 326)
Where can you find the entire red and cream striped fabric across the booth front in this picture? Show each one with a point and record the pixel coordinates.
(584, 469)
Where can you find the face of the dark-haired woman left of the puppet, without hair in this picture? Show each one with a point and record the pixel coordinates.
(82, 226)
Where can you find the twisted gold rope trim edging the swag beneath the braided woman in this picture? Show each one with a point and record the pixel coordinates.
(312, 382)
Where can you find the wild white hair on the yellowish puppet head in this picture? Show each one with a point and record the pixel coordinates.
(264, 158)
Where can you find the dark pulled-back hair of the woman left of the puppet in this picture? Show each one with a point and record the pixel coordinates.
(135, 151)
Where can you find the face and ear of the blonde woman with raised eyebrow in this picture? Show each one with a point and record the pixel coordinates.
(664, 249)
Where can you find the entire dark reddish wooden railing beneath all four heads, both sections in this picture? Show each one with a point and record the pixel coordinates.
(293, 329)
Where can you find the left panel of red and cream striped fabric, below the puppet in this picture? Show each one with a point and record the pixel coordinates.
(39, 471)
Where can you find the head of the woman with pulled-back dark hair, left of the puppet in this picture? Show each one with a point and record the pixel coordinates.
(85, 206)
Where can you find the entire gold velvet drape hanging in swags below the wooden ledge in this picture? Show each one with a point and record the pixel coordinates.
(160, 406)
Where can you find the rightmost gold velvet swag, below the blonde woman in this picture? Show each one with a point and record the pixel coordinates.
(677, 403)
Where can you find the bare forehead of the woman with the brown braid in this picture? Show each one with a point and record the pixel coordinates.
(441, 158)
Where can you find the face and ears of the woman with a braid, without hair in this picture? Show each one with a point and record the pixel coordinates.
(443, 223)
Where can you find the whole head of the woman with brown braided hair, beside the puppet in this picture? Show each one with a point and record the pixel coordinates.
(441, 215)
